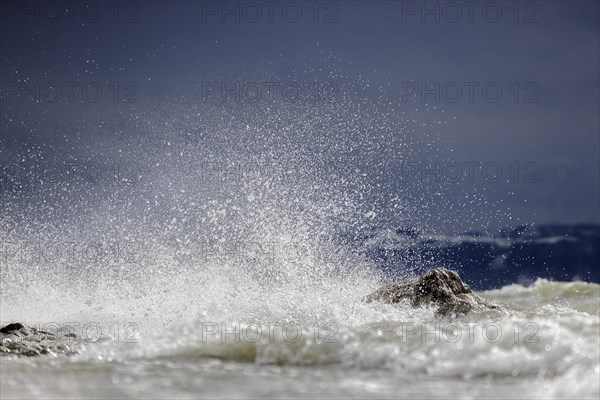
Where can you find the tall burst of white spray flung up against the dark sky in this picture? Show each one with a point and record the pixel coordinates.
(233, 211)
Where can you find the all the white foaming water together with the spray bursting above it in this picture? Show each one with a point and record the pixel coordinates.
(211, 255)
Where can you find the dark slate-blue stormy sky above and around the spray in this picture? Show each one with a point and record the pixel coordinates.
(543, 55)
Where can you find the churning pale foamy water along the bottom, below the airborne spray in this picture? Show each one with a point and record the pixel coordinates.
(545, 345)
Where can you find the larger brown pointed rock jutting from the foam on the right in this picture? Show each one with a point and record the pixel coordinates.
(439, 287)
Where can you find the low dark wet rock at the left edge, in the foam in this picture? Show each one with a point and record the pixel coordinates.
(20, 340)
